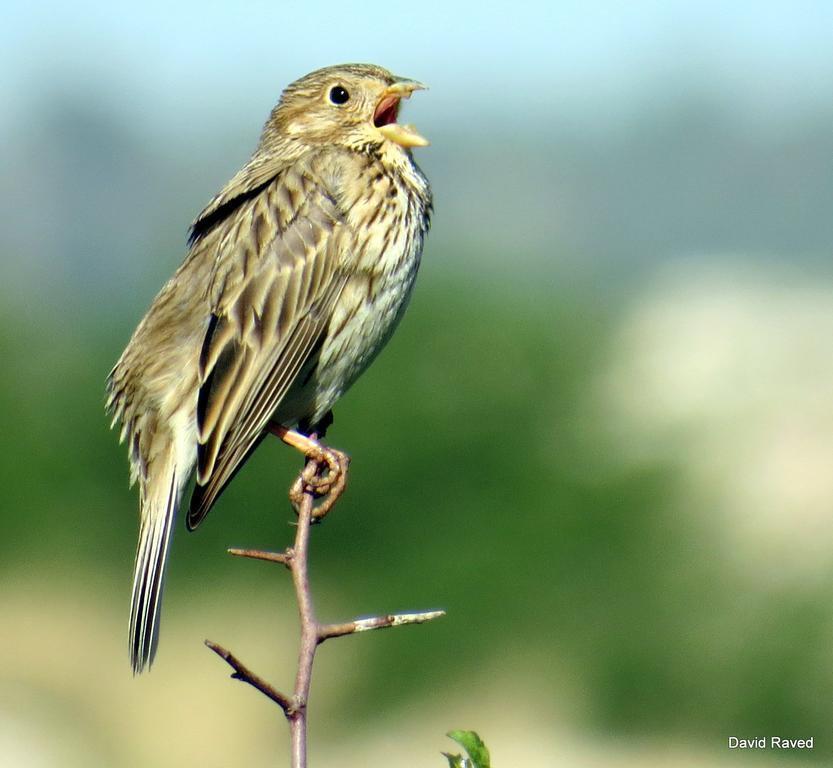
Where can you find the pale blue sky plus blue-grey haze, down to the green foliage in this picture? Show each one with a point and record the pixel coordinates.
(591, 136)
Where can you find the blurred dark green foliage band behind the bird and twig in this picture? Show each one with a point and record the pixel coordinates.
(478, 485)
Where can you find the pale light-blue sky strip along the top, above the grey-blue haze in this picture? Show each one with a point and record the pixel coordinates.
(588, 62)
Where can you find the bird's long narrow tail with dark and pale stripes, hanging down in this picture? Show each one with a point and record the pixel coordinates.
(160, 501)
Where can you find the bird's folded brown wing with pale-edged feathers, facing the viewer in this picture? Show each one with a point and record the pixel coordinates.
(272, 291)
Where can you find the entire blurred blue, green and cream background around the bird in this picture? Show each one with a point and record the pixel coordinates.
(601, 439)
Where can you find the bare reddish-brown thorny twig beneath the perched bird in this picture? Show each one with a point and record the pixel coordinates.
(313, 633)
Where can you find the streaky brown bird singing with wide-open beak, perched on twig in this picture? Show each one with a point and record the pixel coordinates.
(296, 274)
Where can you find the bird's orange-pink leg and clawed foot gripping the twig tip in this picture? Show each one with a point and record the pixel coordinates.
(330, 484)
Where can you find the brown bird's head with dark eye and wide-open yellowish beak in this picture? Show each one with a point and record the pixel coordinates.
(351, 105)
